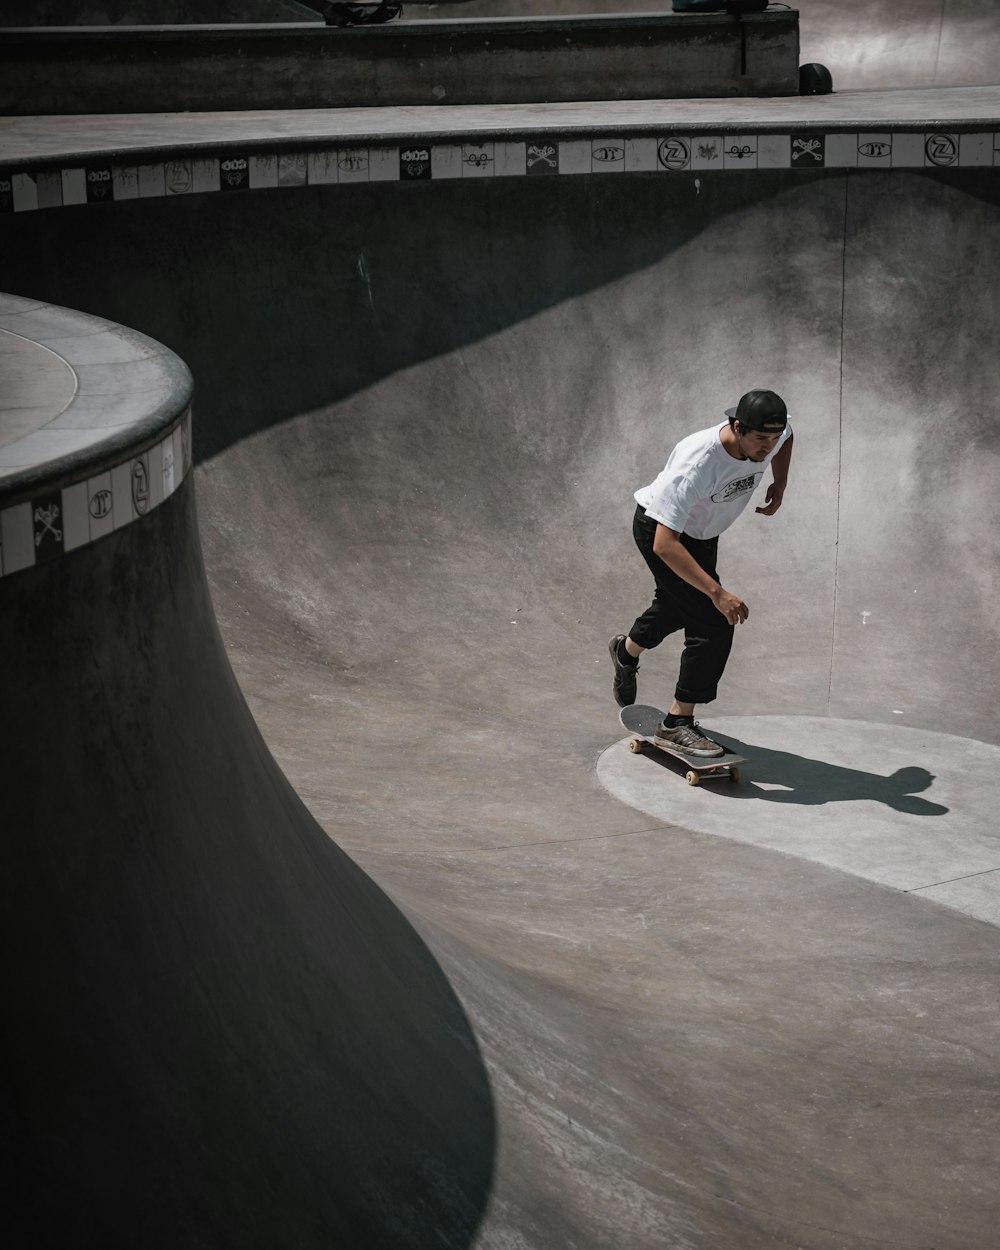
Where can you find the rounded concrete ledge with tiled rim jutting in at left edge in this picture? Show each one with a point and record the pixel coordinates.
(94, 429)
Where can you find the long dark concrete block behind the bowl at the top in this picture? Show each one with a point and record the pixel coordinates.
(67, 71)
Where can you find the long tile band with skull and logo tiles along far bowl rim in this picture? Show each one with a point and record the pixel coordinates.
(99, 183)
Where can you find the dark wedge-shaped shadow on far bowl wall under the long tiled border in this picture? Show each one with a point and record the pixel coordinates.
(327, 291)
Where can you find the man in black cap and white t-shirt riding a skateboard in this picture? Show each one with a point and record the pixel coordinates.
(707, 483)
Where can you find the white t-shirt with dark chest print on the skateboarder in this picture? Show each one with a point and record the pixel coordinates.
(703, 489)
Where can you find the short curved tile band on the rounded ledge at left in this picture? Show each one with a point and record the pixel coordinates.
(57, 522)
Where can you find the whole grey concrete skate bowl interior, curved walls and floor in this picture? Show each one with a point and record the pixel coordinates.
(582, 1022)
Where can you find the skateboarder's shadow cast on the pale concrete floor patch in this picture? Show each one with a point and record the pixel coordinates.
(813, 783)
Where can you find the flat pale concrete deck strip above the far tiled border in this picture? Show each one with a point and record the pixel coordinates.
(37, 143)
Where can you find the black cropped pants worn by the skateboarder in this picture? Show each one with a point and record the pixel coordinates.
(708, 636)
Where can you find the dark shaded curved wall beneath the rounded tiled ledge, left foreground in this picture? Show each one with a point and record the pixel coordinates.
(219, 1031)
